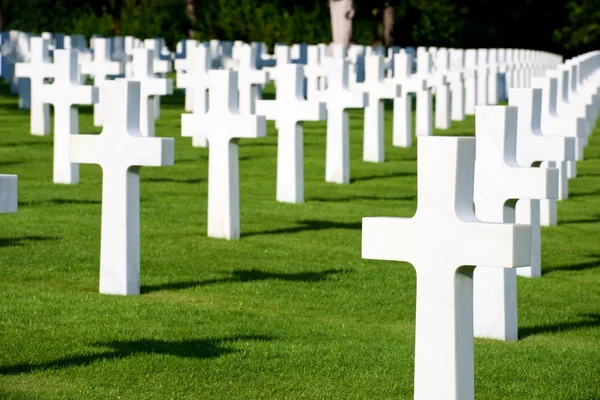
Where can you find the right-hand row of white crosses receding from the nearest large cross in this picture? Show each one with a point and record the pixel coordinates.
(467, 286)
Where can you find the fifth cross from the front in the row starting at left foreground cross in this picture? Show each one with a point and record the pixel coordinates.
(378, 89)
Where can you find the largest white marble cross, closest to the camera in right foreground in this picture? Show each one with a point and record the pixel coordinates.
(444, 242)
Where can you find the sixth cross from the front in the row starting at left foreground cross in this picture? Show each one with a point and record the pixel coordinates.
(410, 84)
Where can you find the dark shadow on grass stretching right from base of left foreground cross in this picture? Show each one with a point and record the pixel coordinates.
(253, 275)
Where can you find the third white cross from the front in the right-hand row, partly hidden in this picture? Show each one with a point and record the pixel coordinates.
(533, 148)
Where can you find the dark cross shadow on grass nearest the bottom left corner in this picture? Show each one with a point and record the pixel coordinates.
(193, 348)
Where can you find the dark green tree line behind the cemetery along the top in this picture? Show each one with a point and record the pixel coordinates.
(567, 27)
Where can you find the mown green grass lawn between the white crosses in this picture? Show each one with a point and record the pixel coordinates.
(290, 310)
